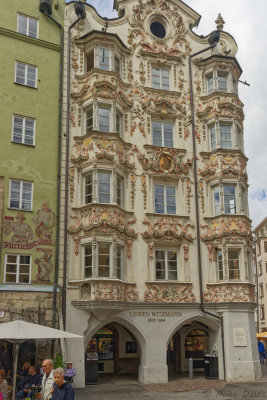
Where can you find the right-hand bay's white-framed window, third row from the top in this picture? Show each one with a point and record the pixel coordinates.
(229, 199)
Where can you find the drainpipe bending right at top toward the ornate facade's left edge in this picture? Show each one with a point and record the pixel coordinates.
(80, 11)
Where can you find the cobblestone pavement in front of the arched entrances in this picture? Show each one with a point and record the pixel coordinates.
(197, 389)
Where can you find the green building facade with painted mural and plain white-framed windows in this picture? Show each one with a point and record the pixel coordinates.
(30, 44)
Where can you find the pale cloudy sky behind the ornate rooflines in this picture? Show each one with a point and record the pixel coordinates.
(246, 21)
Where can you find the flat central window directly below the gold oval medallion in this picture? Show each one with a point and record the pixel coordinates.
(165, 199)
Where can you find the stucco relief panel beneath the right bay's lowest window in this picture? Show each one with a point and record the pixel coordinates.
(229, 293)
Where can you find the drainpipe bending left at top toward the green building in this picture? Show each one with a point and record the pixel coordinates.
(55, 288)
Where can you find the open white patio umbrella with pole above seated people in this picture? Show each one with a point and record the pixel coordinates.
(20, 331)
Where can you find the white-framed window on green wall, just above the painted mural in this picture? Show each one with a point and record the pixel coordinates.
(20, 195)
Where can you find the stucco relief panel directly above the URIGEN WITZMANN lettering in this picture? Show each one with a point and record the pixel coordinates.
(169, 294)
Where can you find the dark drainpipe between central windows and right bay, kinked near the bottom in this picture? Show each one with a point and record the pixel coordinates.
(213, 40)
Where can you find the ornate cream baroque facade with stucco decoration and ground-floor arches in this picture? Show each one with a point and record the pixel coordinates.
(163, 277)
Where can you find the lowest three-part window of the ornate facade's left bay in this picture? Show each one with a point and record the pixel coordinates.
(106, 255)
